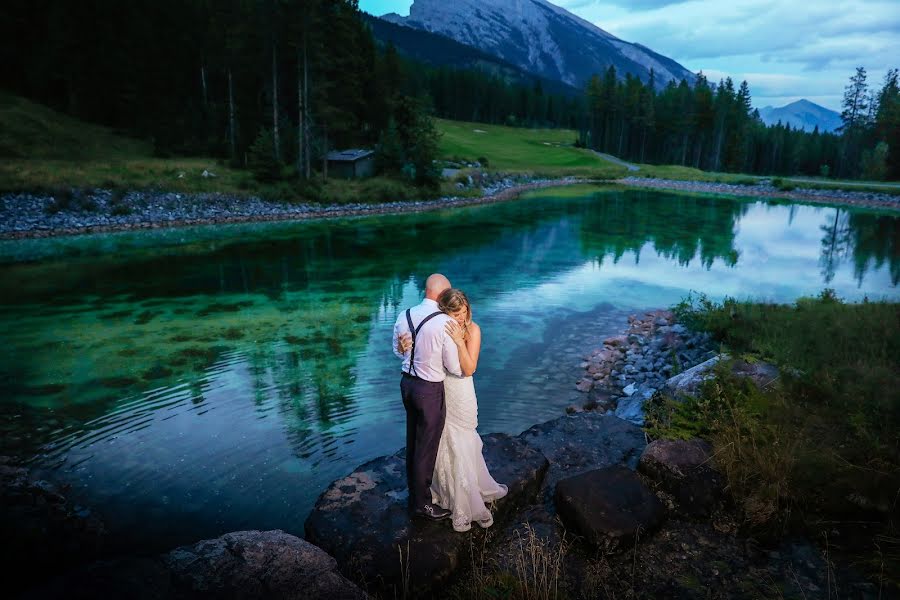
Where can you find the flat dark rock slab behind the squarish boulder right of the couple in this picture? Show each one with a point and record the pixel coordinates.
(582, 442)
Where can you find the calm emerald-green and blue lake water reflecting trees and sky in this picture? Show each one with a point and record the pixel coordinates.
(196, 381)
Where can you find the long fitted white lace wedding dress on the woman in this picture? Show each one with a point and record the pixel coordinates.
(461, 481)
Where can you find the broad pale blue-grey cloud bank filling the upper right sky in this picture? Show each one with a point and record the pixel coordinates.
(694, 30)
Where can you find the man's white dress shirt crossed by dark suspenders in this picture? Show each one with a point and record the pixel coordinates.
(435, 349)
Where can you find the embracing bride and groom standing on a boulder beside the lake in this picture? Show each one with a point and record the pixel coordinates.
(445, 470)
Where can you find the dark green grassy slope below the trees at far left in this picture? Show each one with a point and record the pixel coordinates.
(29, 130)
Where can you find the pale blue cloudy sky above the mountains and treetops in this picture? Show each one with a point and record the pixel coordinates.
(786, 50)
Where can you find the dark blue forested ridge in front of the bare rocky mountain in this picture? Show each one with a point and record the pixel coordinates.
(441, 51)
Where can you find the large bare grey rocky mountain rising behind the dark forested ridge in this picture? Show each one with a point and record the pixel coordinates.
(541, 38)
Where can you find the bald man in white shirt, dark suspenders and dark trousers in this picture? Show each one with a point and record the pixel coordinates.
(422, 390)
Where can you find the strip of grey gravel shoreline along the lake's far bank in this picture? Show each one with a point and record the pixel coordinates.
(28, 215)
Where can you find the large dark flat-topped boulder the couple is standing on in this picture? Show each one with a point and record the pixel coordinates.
(362, 520)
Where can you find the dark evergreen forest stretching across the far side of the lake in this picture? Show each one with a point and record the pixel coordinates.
(273, 85)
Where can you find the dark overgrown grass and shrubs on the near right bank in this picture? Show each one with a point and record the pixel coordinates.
(820, 451)
